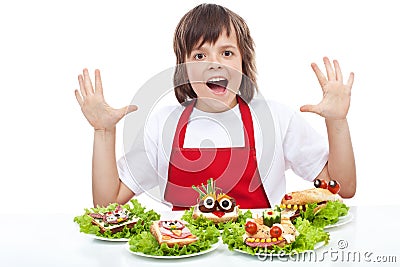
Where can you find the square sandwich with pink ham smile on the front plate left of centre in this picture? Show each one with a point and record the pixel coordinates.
(172, 232)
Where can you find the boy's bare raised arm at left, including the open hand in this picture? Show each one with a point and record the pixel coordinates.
(106, 185)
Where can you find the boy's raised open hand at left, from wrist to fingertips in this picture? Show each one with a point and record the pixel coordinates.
(99, 114)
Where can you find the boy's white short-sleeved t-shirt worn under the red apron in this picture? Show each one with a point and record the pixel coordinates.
(283, 140)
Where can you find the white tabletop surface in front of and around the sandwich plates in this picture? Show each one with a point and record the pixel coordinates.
(55, 240)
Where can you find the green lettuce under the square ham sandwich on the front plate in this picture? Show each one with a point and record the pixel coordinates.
(146, 243)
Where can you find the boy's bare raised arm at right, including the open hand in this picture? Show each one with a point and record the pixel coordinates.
(334, 108)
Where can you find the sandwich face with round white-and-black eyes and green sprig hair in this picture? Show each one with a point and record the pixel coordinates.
(214, 205)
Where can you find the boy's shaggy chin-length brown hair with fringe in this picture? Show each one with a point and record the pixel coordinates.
(205, 23)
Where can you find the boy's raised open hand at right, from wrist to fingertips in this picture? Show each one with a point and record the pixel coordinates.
(335, 102)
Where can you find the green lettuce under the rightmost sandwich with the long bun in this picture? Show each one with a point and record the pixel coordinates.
(325, 216)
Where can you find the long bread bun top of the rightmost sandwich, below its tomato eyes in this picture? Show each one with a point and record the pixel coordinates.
(313, 195)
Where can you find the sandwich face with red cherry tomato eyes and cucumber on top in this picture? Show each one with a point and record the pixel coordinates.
(269, 230)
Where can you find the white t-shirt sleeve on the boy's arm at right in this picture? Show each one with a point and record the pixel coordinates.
(306, 151)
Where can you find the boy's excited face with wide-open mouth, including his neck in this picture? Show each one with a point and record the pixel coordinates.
(215, 73)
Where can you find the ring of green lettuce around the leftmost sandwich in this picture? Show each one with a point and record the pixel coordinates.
(135, 209)
